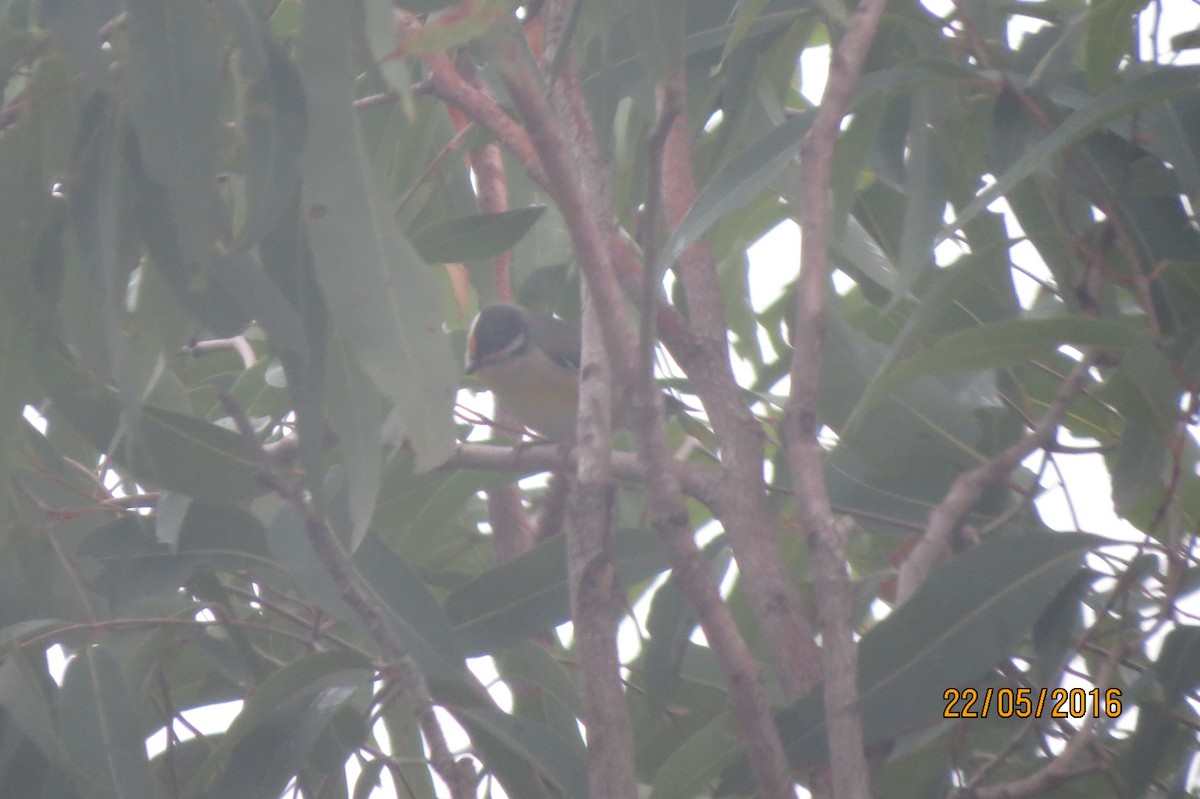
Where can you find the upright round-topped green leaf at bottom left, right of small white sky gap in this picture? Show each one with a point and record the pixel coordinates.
(99, 731)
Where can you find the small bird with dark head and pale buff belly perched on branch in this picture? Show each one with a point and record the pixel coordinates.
(532, 365)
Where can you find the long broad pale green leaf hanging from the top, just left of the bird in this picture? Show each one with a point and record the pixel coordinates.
(382, 299)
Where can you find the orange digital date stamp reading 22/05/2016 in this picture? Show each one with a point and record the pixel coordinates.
(1030, 704)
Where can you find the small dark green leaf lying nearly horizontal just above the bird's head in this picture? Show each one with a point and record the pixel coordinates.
(473, 238)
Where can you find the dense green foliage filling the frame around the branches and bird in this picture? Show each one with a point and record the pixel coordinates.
(233, 236)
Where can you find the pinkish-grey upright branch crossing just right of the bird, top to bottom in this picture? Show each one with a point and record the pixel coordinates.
(596, 604)
